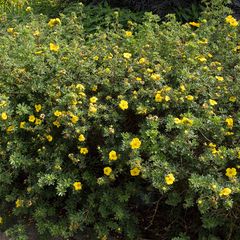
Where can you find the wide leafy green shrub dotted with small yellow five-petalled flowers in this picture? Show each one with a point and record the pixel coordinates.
(92, 124)
